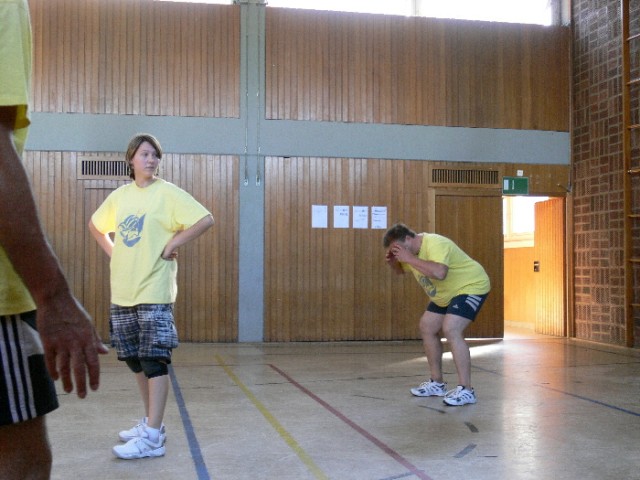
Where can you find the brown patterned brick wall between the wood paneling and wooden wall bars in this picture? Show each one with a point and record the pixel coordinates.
(598, 171)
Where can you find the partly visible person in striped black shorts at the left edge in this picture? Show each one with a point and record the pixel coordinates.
(45, 334)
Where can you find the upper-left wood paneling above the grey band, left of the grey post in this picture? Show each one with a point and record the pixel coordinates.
(135, 57)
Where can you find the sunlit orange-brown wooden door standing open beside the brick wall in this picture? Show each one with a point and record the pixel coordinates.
(549, 248)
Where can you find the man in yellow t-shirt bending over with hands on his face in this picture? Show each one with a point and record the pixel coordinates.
(457, 287)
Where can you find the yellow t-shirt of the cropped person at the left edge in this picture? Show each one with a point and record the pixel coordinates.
(15, 82)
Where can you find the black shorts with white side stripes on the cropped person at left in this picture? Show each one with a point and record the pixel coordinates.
(26, 389)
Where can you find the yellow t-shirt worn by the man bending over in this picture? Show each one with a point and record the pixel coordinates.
(465, 275)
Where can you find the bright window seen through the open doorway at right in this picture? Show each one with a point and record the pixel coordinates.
(519, 220)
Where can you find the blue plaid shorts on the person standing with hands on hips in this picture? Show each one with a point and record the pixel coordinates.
(143, 331)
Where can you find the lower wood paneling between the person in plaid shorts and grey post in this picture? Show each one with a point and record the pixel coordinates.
(206, 308)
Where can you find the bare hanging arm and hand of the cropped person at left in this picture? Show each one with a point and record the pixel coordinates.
(70, 341)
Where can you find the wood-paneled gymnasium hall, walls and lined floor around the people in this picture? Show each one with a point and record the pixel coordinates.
(307, 132)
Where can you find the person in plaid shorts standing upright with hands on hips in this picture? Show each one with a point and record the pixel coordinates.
(151, 219)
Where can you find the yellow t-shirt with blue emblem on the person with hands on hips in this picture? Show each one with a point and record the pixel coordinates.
(144, 220)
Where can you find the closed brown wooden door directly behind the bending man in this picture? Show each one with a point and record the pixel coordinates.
(474, 222)
